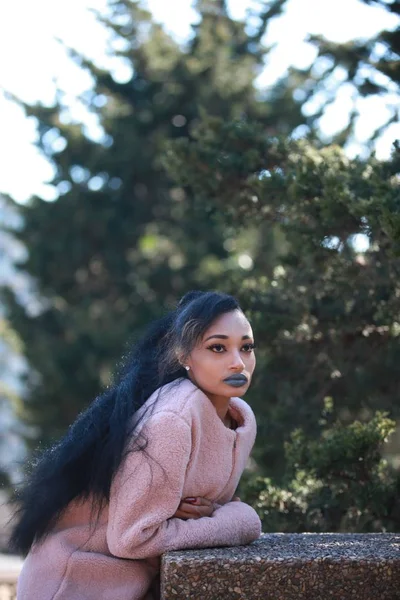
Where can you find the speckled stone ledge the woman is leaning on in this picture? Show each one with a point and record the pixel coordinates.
(283, 566)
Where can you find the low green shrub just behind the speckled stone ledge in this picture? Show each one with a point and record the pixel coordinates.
(338, 482)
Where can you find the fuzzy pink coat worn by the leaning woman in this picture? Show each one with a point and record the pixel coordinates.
(192, 454)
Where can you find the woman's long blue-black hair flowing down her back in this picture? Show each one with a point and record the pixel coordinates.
(83, 463)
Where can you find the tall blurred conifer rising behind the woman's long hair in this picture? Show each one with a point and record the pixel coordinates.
(122, 243)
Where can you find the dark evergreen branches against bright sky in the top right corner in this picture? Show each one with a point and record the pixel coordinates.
(370, 66)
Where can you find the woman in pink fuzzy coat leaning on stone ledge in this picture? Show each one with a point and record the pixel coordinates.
(152, 465)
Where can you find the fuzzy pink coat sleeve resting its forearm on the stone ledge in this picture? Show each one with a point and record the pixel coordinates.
(146, 493)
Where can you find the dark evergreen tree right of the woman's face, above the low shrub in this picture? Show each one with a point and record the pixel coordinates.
(326, 314)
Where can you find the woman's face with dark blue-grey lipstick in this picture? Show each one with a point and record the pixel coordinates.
(223, 362)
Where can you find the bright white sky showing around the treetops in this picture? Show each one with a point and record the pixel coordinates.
(34, 64)
